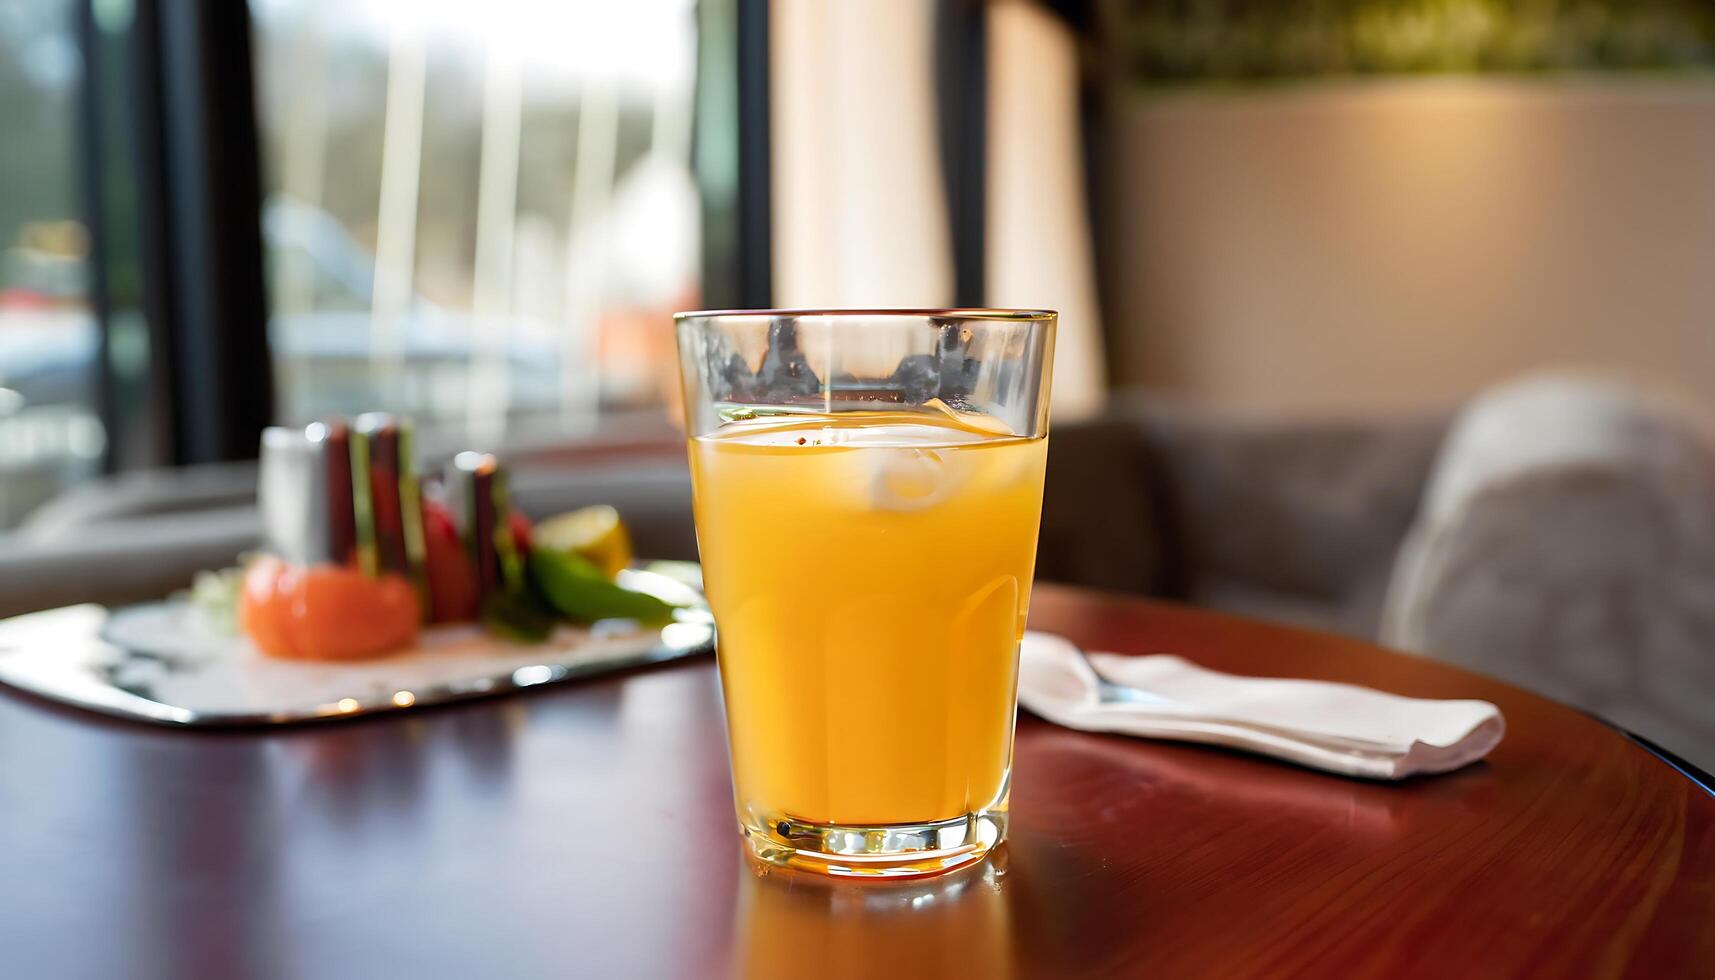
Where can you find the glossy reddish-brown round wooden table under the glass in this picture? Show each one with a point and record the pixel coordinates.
(589, 832)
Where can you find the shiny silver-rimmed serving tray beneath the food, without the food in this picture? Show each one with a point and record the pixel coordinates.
(169, 663)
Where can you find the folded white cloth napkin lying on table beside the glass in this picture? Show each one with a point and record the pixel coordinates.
(1333, 727)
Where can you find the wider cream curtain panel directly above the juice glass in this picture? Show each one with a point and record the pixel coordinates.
(860, 217)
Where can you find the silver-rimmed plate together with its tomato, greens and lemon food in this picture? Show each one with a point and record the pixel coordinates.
(375, 591)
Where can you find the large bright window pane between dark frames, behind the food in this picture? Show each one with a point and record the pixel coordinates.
(478, 215)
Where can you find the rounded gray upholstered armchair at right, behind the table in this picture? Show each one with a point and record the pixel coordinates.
(1567, 543)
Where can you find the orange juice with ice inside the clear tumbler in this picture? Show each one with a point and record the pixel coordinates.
(869, 574)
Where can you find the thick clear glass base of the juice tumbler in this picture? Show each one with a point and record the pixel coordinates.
(881, 850)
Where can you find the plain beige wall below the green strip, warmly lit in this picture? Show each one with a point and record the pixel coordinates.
(1395, 246)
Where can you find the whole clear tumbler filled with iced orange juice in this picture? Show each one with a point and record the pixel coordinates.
(869, 493)
